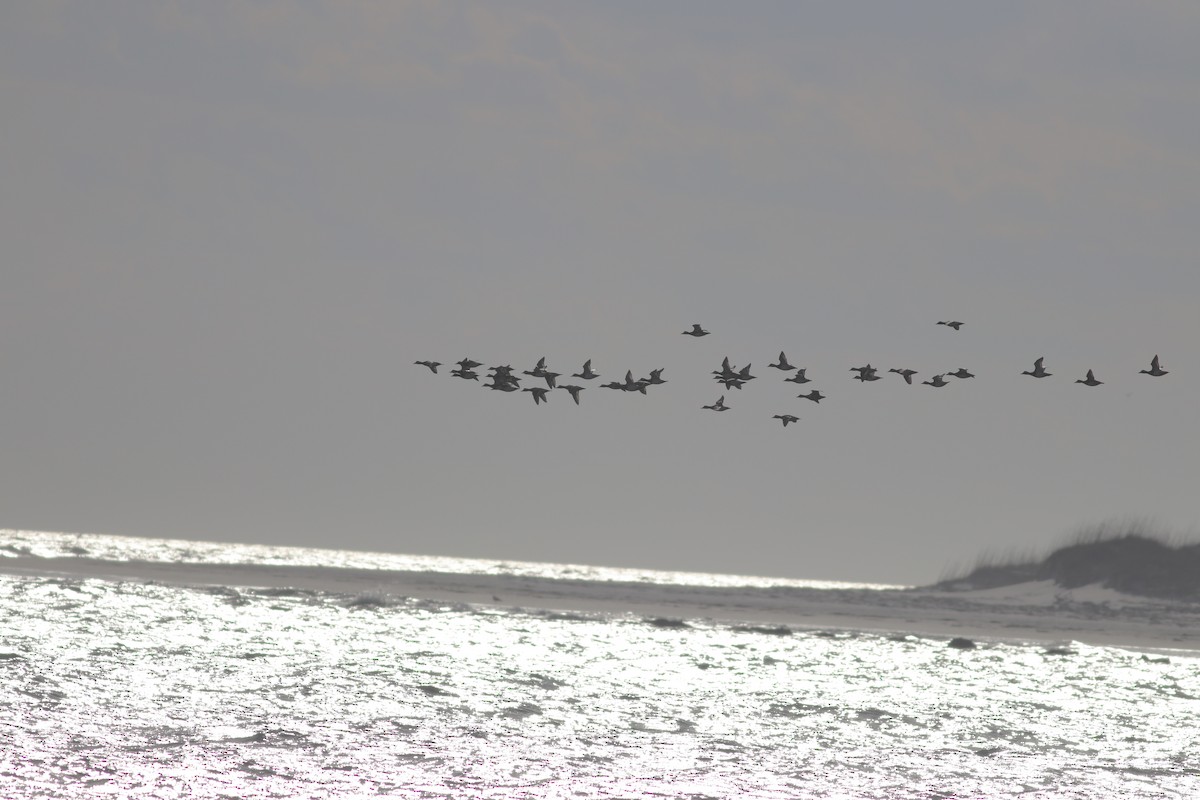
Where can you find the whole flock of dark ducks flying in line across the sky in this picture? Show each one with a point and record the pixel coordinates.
(505, 380)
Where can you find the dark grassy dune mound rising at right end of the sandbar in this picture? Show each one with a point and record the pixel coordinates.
(1125, 558)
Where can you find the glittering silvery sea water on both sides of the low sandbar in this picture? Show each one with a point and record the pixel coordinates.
(135, 690)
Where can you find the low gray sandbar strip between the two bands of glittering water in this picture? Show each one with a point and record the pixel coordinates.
(1027, 613)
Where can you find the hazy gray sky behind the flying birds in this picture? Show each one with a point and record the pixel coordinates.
(227, 231)
